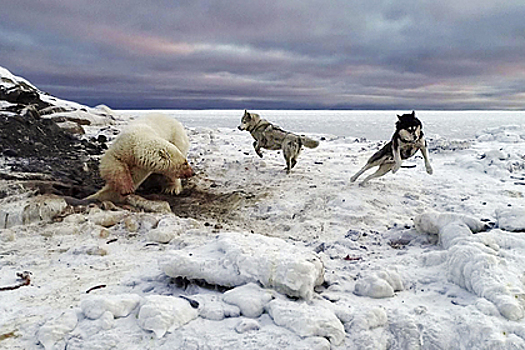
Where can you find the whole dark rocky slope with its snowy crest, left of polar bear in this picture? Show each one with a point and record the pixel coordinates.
(40, 137)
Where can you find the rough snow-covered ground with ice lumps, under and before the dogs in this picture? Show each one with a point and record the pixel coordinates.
(300, 261)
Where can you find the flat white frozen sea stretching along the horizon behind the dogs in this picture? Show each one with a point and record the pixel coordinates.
(372, 125)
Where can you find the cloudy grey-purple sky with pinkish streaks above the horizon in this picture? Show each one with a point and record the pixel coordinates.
(284, 54)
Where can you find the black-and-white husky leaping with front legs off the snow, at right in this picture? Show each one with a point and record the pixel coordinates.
(406, 141)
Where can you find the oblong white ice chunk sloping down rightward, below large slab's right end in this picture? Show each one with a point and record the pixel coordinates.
(307, 319)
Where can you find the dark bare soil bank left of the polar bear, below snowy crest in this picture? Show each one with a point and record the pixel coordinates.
(33, 145)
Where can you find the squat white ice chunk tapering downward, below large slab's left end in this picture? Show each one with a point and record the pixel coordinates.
(161, 314)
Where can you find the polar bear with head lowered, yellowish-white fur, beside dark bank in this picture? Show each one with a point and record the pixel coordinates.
(155, 143)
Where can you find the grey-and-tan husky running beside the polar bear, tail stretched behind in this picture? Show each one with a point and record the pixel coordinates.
(272, 137)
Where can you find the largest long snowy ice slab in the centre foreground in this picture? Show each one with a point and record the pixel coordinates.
(234, 259)
